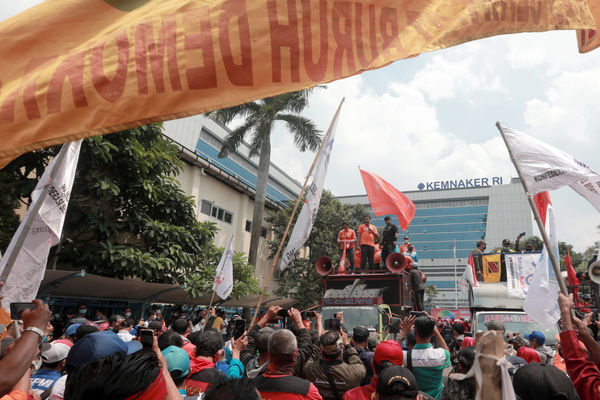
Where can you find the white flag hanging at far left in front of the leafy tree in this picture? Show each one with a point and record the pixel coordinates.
(23, 281)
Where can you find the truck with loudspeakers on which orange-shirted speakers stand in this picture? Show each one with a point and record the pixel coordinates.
(368, 299)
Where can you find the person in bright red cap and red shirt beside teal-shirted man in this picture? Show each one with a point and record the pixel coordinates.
(387, 353)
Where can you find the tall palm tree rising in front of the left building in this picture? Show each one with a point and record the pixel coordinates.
(260, 118)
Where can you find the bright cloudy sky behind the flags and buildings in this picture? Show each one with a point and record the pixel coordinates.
(433, 117)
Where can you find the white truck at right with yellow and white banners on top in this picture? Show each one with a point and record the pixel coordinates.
(490, 301)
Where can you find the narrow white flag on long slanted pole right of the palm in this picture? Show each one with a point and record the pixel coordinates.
(308, 214)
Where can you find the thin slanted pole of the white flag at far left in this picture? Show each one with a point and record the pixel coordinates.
(30, 216)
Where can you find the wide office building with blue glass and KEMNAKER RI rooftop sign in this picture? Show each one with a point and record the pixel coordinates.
(488, 210)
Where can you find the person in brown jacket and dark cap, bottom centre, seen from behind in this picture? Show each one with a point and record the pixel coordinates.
(329, 372)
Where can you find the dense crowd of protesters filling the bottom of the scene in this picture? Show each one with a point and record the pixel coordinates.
(278, 358)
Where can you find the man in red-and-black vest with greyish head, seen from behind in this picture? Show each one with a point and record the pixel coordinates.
(278, 381)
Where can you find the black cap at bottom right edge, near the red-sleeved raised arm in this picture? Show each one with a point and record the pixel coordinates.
(537, 381)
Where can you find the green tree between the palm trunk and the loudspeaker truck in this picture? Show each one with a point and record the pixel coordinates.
(300, 280)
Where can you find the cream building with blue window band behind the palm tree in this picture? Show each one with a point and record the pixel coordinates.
(224, 188)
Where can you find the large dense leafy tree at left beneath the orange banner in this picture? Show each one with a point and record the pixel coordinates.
(129, 217)
